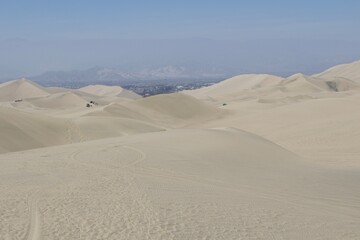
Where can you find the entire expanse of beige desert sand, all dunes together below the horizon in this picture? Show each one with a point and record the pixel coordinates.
(252, 157)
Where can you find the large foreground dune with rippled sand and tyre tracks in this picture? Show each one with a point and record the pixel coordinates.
(203, 184)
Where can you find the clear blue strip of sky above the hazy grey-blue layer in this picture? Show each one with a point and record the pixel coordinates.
(226, 19)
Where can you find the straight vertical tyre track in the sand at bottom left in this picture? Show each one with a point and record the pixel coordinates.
(34, 229)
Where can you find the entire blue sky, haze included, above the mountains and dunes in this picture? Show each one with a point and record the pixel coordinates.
(274, 36)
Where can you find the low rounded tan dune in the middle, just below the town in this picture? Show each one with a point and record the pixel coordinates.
(168, 110)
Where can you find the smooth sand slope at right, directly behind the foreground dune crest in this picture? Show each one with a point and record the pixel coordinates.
(325, 130)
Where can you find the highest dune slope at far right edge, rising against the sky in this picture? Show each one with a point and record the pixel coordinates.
(349, 71)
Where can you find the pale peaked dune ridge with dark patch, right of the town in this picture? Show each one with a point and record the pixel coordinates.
(272, 89)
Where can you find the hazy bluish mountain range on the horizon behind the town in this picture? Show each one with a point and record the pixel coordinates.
(115, 76)
